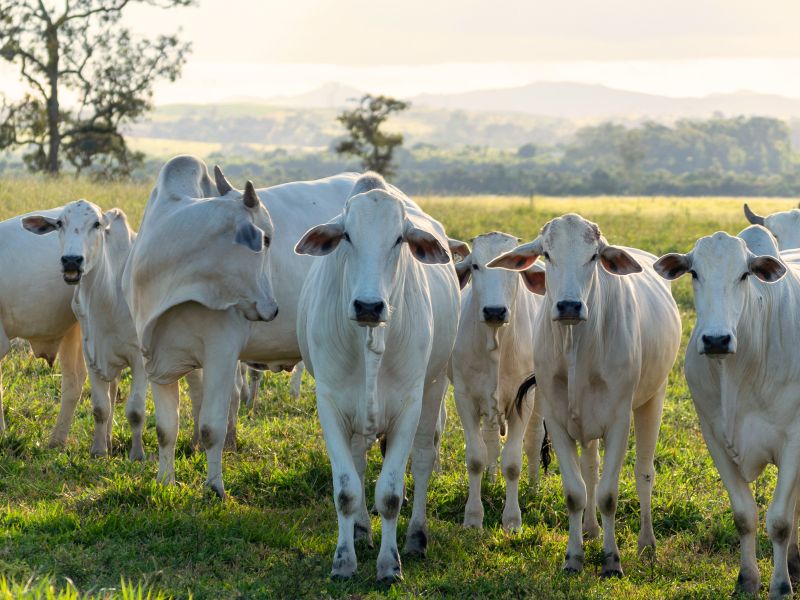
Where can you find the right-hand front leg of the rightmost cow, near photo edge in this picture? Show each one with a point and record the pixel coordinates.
(780, 521)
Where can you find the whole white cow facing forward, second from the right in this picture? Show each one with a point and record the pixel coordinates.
(604, 341)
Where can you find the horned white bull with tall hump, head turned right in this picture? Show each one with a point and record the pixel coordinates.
(196, 278)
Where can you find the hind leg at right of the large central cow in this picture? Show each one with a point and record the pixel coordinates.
(424, 455)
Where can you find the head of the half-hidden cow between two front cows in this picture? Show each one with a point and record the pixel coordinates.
(494, 290)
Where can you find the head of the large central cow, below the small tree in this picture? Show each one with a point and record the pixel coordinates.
(371, 234)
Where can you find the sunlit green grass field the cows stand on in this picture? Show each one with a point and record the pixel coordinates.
(78, 525)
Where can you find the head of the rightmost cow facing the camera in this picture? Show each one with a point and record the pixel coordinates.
(720, 266)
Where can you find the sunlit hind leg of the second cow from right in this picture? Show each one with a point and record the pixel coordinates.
(646, 423)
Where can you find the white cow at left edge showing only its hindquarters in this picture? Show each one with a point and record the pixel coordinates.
(35, 305)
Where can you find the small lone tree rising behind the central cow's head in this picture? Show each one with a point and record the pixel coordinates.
(366, 140)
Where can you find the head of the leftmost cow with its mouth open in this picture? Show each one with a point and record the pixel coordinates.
(82, 227)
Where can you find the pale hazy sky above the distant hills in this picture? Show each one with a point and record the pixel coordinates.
(265, 48)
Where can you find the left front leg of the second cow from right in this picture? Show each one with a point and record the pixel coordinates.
(574, 493)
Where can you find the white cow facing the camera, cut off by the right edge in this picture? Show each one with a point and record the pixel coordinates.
(744, 376)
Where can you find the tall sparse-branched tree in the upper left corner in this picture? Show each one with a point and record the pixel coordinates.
(79, 49)
